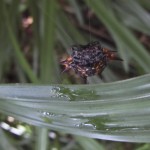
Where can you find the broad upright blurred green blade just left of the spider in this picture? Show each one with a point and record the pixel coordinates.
(47, 53)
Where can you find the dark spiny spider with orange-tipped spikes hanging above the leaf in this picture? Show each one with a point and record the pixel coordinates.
(89, 60)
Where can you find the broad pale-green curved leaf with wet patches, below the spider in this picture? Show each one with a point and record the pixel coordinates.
(114, 111)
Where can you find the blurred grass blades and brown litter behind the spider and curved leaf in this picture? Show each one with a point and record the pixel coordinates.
(36, 34)
